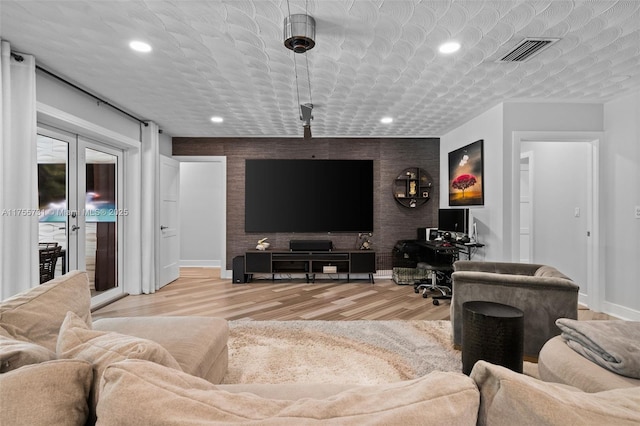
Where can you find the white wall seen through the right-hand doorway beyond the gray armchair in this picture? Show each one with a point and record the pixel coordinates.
(559, 186)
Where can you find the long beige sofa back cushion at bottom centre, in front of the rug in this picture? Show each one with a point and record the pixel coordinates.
(174, 398)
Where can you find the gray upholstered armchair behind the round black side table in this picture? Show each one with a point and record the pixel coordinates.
(541, 292)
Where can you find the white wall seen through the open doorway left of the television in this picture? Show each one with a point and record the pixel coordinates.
(202, 214)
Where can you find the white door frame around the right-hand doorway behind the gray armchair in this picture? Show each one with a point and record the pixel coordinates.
(595, 261)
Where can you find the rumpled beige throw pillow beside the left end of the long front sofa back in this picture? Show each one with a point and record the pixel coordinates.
(101, 348)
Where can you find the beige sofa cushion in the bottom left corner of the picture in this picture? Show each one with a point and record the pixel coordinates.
(51, 393)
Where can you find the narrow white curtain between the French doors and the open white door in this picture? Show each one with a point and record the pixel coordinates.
(150, 206)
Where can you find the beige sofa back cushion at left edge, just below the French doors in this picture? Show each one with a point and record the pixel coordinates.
(35, 315)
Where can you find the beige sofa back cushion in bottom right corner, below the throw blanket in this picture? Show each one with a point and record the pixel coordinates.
(509, 398)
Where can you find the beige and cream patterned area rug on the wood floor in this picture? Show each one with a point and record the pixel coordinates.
(351, 352)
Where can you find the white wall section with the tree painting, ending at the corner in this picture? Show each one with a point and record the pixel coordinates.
(487, 126)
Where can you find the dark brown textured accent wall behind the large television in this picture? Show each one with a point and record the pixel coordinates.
(392, 222)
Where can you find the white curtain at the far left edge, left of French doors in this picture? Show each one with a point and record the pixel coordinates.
(18, 174)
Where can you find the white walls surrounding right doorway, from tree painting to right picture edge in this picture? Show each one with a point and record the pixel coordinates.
(619, 190)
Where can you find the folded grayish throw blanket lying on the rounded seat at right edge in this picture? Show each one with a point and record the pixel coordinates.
(614, 345)
